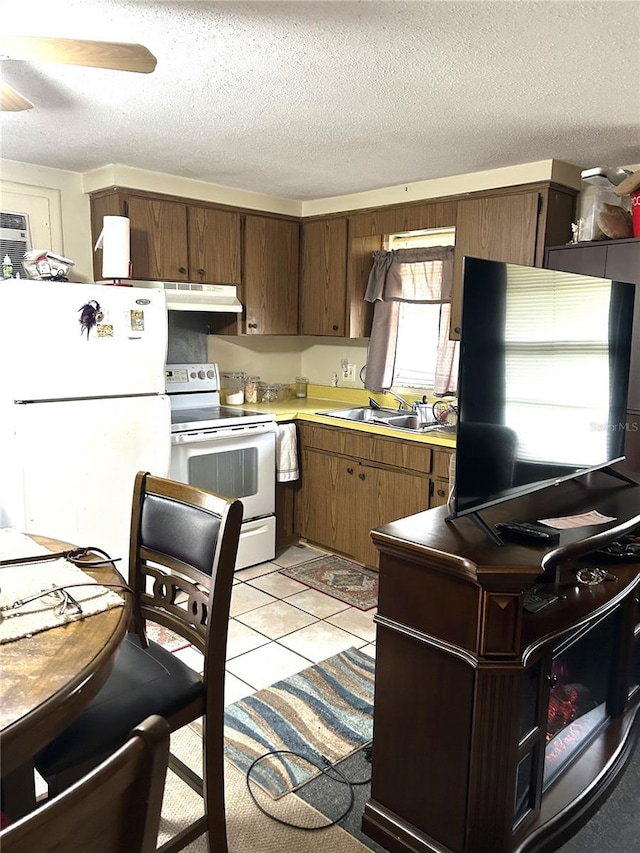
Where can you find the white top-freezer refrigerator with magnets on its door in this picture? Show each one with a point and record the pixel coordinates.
(82, 407)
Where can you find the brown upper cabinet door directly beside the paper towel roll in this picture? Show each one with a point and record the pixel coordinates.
(158, 239)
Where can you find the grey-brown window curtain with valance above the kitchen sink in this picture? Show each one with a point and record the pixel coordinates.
(409, 275)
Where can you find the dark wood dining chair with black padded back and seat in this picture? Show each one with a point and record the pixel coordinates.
(184, 542)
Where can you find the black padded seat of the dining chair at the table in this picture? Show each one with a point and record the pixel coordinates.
(142, 682)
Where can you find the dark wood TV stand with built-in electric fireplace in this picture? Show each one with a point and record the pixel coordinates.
(495, 728)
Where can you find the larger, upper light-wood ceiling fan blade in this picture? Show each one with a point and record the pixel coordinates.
(94, 54)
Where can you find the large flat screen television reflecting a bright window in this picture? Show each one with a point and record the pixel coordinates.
(543, 378)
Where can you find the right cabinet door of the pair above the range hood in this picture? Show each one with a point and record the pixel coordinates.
(215, 254)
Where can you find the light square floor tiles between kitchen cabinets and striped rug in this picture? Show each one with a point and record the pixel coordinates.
(279, 626)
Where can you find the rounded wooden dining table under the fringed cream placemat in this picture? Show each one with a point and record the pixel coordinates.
(47, 678)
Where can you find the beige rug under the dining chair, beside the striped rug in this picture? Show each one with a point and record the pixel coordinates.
(248, 830)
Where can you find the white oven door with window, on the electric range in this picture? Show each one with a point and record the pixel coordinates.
(233, 463)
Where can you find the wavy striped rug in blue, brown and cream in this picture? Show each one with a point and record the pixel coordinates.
(325, 711)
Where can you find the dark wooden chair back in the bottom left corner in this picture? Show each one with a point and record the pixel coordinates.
(113, 809)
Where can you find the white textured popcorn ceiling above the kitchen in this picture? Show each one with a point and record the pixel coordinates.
(307, 100)
